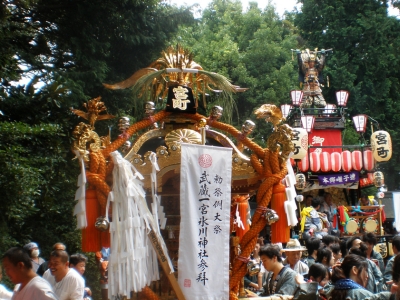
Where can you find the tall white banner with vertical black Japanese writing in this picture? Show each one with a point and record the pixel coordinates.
(205, 196)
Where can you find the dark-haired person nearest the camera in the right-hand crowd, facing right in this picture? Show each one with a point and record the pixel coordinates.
(350, 279)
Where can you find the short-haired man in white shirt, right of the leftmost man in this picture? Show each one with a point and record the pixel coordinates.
(67, 283)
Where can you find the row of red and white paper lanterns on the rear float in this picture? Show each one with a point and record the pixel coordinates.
(345, 161)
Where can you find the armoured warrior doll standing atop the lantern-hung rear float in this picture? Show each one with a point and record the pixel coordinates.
(311, 64)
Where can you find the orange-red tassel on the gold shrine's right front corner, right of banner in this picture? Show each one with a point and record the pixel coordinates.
(280, 230)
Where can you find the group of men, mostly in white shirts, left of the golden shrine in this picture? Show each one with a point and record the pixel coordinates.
(60, 278)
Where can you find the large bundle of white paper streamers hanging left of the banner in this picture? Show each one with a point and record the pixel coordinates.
(133, 261)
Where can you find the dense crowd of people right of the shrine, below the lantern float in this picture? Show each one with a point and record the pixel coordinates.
(339, 269)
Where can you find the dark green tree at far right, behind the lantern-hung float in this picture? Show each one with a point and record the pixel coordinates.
(365, 60)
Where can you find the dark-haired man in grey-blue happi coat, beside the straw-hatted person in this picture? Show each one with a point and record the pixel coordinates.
(280, 278)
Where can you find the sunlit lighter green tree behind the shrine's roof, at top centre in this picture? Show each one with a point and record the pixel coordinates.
(252, 48)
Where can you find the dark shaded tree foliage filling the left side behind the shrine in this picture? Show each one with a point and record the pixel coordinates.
(64, 51)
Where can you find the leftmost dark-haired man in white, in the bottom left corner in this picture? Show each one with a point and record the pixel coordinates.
(18, 267)
